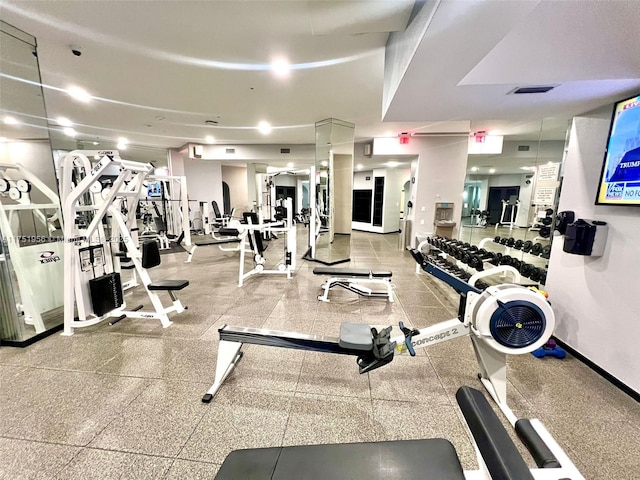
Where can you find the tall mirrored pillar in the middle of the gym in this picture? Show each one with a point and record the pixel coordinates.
(331, 242)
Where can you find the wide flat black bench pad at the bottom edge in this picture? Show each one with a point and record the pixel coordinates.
(432, 459)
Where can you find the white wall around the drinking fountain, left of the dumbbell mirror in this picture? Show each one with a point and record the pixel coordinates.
(440, 173)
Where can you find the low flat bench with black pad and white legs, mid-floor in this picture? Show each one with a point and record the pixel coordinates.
(352, 279)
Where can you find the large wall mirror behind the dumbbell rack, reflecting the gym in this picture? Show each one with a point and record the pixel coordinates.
(510, 200)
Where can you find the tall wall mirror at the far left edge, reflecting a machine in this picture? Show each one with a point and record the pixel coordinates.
(31, 259)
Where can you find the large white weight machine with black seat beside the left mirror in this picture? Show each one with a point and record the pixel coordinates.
(88, 247)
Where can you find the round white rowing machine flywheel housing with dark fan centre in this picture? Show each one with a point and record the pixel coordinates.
(513, 319)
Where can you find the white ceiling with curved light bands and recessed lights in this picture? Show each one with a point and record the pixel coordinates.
(160, 69)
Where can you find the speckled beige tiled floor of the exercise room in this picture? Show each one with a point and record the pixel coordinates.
(124, 401)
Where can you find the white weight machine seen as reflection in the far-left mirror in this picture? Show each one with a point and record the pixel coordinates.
(34, 249)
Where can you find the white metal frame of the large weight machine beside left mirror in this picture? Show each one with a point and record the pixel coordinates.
(106, 203)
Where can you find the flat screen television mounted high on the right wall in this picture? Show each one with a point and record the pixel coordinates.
(620, 178)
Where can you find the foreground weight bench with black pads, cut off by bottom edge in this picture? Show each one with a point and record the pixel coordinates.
(427, 459)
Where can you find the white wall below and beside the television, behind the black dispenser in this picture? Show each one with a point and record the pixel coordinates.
(596, 299)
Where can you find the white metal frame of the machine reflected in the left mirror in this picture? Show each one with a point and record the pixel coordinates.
(29, 298)
